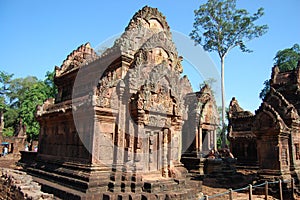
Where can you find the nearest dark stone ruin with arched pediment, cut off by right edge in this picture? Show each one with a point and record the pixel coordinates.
(277, 126)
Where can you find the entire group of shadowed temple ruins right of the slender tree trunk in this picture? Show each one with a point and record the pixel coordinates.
(273, 132)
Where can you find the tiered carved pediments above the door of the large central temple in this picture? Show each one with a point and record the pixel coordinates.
(152, 73)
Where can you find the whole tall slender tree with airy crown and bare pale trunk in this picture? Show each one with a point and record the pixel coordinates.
(219, 26)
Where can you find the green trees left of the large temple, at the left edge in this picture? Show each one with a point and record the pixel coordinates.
(19, 98)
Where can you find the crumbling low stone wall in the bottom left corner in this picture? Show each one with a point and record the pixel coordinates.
(17, 185)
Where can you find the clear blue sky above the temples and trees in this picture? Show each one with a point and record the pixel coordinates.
(37, 35)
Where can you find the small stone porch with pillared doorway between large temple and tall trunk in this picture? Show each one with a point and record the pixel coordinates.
(199, 131)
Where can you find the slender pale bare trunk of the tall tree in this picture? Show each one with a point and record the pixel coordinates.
(223, 135)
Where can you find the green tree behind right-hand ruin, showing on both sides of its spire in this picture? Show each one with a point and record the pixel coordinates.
(286, 59)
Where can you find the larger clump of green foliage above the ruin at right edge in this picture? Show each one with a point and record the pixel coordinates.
(287, 59)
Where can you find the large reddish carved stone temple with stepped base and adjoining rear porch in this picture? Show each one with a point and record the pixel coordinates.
(115, 129)
